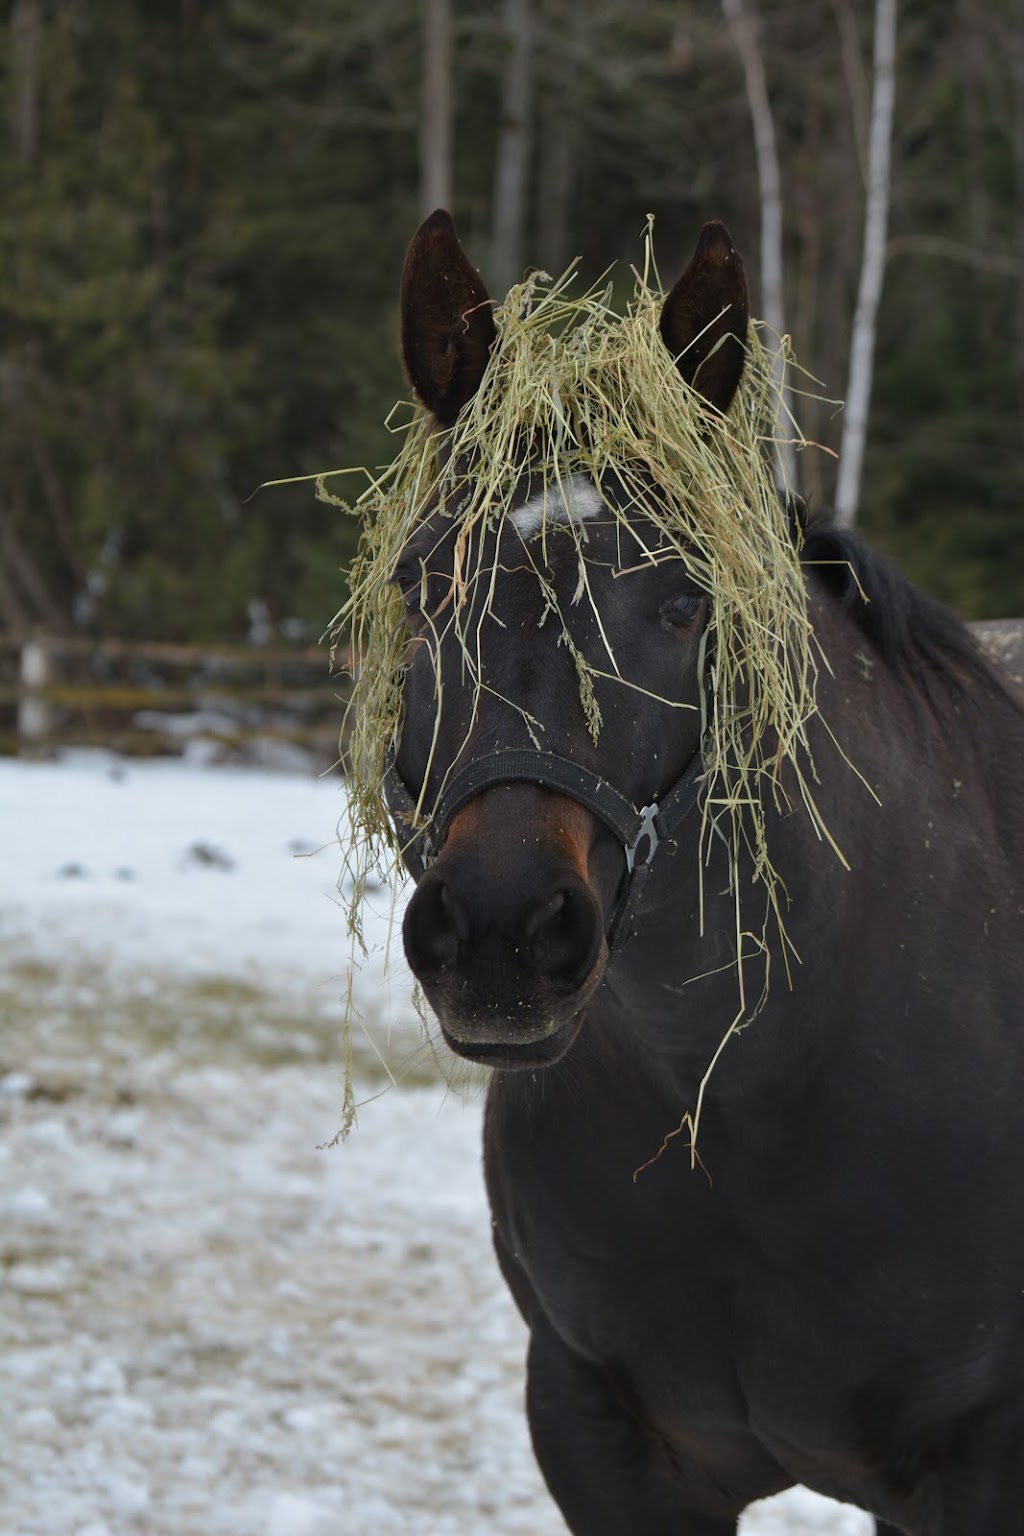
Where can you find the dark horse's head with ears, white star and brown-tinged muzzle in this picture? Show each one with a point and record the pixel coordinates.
(555, 681)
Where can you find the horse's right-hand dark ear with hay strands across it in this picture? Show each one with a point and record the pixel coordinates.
(704, 320)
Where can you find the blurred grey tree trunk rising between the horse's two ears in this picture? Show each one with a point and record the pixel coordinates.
(512, 167)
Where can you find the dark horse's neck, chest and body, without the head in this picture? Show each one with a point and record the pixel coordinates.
(841, 1300)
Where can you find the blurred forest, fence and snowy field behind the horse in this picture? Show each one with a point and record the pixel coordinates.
(210, 1325)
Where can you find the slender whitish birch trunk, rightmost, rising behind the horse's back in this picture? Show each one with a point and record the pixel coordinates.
(873, 266)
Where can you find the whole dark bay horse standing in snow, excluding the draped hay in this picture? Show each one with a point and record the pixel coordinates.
(831, 1288)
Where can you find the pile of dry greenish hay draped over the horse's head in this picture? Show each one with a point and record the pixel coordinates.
(596, 392)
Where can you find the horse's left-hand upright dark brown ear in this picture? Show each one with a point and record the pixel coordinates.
(448, 325)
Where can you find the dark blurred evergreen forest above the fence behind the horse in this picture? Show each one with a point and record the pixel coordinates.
(206, 205)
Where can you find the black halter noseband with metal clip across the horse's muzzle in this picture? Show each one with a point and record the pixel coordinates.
(641, 832)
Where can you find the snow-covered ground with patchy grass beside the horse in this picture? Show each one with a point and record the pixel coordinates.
(213, 1323)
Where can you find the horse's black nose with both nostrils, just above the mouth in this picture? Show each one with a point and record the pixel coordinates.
(460, 924)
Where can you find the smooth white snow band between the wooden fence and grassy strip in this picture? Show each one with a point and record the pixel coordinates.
(216, 886)
